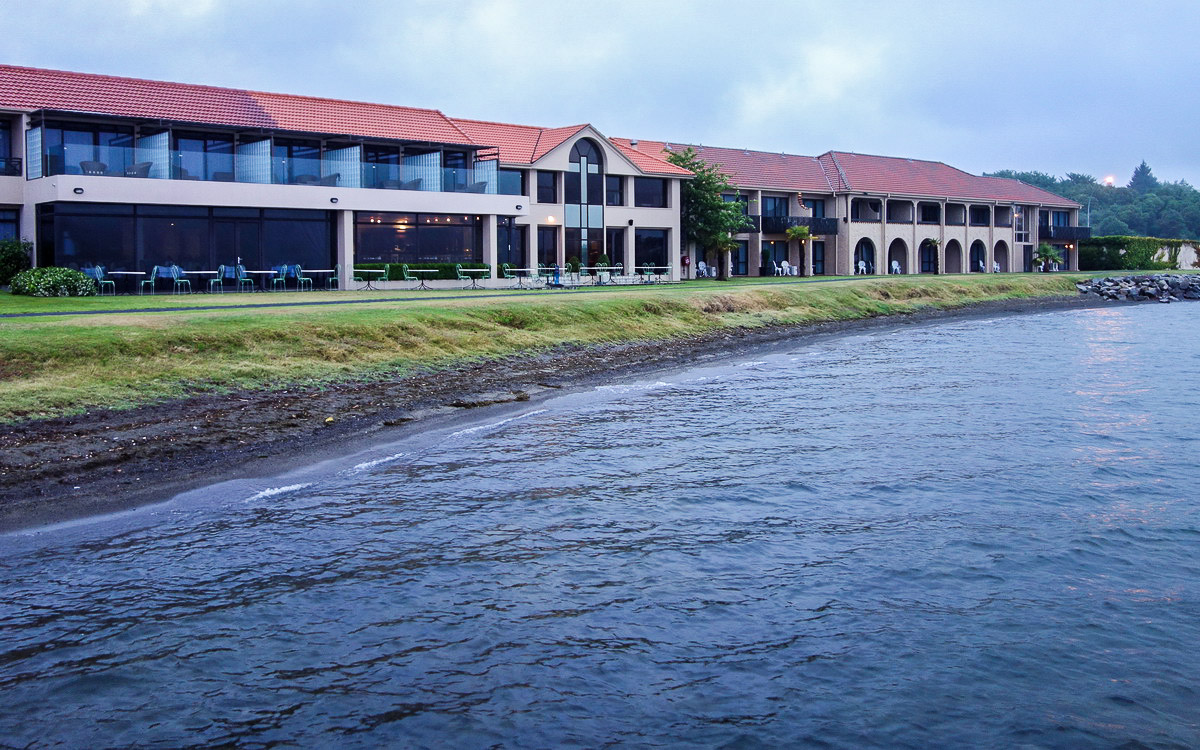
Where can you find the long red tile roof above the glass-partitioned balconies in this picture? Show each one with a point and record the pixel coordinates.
(26, 88)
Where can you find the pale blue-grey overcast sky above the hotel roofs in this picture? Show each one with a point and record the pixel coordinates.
(1059, 87)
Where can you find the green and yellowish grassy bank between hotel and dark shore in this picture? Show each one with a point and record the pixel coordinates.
(52, 367)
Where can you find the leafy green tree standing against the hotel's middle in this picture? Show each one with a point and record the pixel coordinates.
(707, 219)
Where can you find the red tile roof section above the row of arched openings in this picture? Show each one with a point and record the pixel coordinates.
(911, 177)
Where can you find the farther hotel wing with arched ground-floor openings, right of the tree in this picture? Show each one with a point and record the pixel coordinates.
(884, 214)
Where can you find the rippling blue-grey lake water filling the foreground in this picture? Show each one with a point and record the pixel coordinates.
(981, 533)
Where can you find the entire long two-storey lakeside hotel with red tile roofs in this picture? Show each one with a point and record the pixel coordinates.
(130, 173)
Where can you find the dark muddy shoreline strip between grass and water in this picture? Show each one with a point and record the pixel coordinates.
(109, 461)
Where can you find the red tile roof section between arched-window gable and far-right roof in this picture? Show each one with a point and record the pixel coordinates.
(752, 170)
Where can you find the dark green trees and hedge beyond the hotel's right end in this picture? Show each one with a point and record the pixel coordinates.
(1145, 207)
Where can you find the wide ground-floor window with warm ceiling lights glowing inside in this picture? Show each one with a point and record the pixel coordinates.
(385, 237)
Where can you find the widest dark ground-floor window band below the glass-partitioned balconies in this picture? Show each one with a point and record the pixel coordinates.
(128, 238)
